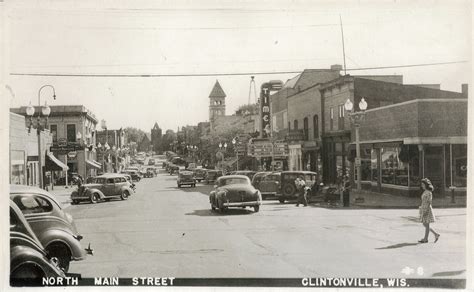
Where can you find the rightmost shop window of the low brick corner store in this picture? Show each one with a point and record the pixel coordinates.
(458, 169)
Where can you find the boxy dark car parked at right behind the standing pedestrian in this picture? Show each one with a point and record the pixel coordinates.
(288, 187)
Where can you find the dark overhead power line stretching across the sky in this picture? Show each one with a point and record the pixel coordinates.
(215, 74)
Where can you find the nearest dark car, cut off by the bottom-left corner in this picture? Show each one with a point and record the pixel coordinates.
(29, 261)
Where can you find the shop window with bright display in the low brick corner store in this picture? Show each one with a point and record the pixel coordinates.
(394, 171)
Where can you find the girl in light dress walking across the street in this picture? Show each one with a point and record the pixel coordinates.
(426, 212)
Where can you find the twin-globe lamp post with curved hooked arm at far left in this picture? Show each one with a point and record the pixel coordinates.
(45, 111)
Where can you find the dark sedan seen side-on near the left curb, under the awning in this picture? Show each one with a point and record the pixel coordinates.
(105, 187)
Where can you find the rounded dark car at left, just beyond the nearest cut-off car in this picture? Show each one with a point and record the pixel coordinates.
(54, 227)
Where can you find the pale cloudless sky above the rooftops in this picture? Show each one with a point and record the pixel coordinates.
(208, 37)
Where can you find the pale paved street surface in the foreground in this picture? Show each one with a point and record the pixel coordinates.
(165, 231)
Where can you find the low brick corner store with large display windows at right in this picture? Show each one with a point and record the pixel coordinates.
(414, 147)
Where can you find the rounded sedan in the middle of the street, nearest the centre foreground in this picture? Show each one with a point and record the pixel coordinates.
(234, 191)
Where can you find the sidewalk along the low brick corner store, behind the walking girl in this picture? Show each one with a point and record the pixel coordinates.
(386, 201)
